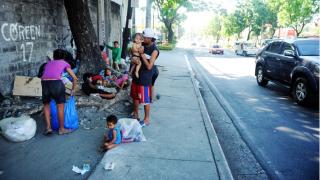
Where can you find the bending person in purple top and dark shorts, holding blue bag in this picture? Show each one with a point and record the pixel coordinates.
(53, 88)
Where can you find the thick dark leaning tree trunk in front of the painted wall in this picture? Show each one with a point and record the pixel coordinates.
(84, 35)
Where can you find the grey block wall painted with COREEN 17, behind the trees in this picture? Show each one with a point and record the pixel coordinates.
(31, 28)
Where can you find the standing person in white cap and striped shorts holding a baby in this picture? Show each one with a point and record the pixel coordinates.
(141, 88)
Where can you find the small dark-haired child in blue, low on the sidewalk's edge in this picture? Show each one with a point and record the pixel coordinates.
(113, 137)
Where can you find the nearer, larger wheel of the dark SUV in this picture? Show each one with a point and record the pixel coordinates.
(301, 91)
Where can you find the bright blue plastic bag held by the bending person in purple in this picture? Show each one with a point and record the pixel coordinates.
(71, 120)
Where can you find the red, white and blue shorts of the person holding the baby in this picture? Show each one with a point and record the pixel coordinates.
(141, 93)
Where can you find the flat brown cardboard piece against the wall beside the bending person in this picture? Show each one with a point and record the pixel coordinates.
(27, 86)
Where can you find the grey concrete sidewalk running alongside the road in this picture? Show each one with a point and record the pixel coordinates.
(181, 143)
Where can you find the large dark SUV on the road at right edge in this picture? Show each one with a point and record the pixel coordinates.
(292, 63)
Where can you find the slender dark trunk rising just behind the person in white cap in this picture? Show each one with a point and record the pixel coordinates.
(126, 32)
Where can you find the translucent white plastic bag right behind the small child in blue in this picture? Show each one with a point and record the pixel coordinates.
(131, 130)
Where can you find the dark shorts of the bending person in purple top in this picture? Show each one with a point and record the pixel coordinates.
(53, 89)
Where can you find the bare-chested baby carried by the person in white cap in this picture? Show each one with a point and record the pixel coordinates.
(136, 46)
